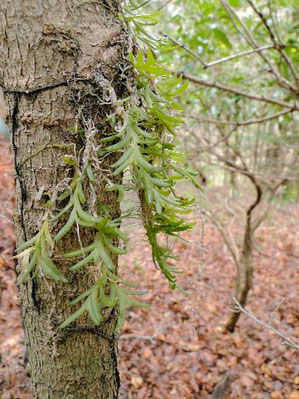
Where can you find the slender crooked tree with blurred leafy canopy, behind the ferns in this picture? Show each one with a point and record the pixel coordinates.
(241, 109)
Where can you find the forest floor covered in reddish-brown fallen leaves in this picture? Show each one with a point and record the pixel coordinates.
(178, 347)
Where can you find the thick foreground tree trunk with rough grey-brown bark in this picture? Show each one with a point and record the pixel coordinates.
(59, 60)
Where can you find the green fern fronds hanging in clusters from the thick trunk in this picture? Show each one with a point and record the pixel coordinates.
(148, 149)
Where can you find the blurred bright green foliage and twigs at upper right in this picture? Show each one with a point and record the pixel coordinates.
(196, 25)
